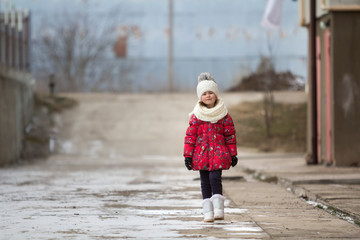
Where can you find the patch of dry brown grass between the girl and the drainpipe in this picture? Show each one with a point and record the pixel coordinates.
(288, 127)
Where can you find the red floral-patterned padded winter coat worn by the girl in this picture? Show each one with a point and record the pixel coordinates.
(210, 145)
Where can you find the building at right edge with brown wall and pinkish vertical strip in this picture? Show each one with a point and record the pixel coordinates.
(337, 81)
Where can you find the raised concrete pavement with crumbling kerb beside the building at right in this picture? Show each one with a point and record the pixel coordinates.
(334, 189)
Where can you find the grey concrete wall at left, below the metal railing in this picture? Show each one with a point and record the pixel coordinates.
(16, 108)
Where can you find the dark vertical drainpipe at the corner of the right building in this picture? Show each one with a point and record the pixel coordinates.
(312, 37)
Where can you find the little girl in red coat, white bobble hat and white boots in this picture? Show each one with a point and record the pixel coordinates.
(210, 145)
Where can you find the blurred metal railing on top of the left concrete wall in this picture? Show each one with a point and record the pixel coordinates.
(15, 39)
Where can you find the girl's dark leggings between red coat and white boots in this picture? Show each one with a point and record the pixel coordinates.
(210, 183)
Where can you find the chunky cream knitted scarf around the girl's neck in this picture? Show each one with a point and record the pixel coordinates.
(210, 114)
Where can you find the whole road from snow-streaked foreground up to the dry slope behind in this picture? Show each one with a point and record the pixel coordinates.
(119, 174)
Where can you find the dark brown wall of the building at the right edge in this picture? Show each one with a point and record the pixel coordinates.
(346, 87)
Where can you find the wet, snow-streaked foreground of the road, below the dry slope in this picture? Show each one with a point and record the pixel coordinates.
(72, 198)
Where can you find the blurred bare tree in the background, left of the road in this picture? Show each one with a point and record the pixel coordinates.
(78, 50)
